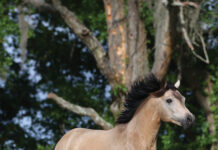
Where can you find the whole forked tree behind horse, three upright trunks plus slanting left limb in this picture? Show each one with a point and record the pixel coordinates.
(127, 56)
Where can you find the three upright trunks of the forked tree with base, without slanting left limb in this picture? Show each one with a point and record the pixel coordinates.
(128, 55)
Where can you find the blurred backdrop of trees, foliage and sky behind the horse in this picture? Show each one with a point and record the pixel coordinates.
(88, 53)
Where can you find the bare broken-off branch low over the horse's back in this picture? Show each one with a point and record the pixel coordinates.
(90, 112)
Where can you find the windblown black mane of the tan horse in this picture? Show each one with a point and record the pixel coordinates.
(140, 90)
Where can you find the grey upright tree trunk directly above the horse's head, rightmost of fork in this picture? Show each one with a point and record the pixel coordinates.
(165, 31)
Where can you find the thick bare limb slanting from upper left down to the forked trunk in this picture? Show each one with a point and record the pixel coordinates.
(87, 37)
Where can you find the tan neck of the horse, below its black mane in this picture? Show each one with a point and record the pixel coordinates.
(142, 130)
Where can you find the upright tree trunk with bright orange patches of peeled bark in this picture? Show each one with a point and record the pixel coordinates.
(117, 38)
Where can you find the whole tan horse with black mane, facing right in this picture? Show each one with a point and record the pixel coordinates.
(147, 104)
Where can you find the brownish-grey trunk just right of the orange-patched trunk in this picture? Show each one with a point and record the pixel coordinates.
(137, 59)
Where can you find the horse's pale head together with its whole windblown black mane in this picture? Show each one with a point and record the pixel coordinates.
(168, 101)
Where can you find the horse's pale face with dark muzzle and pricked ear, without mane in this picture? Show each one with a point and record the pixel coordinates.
(171, 107)
